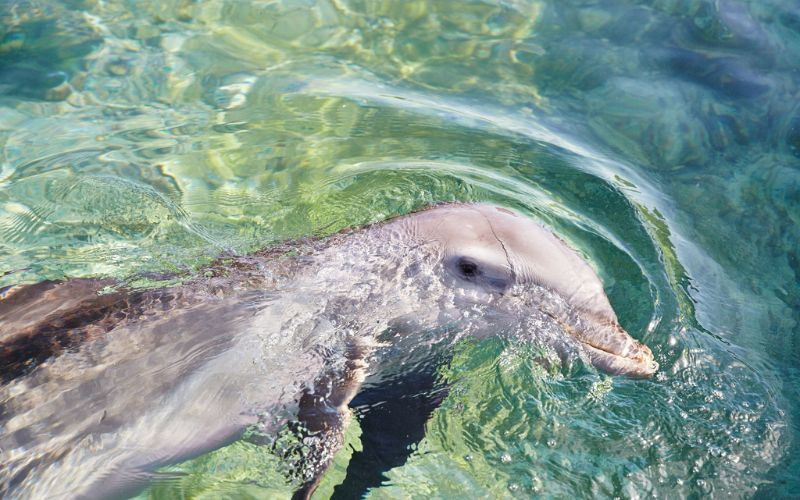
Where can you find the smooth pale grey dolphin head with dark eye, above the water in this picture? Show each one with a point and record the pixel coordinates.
(495, 254)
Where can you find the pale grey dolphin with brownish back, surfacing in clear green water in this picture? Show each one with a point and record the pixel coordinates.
(101, 385)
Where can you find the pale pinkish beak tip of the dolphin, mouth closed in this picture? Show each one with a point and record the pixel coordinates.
(612, 350)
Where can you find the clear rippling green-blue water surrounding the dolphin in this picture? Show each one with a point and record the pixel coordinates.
(660, 139)
